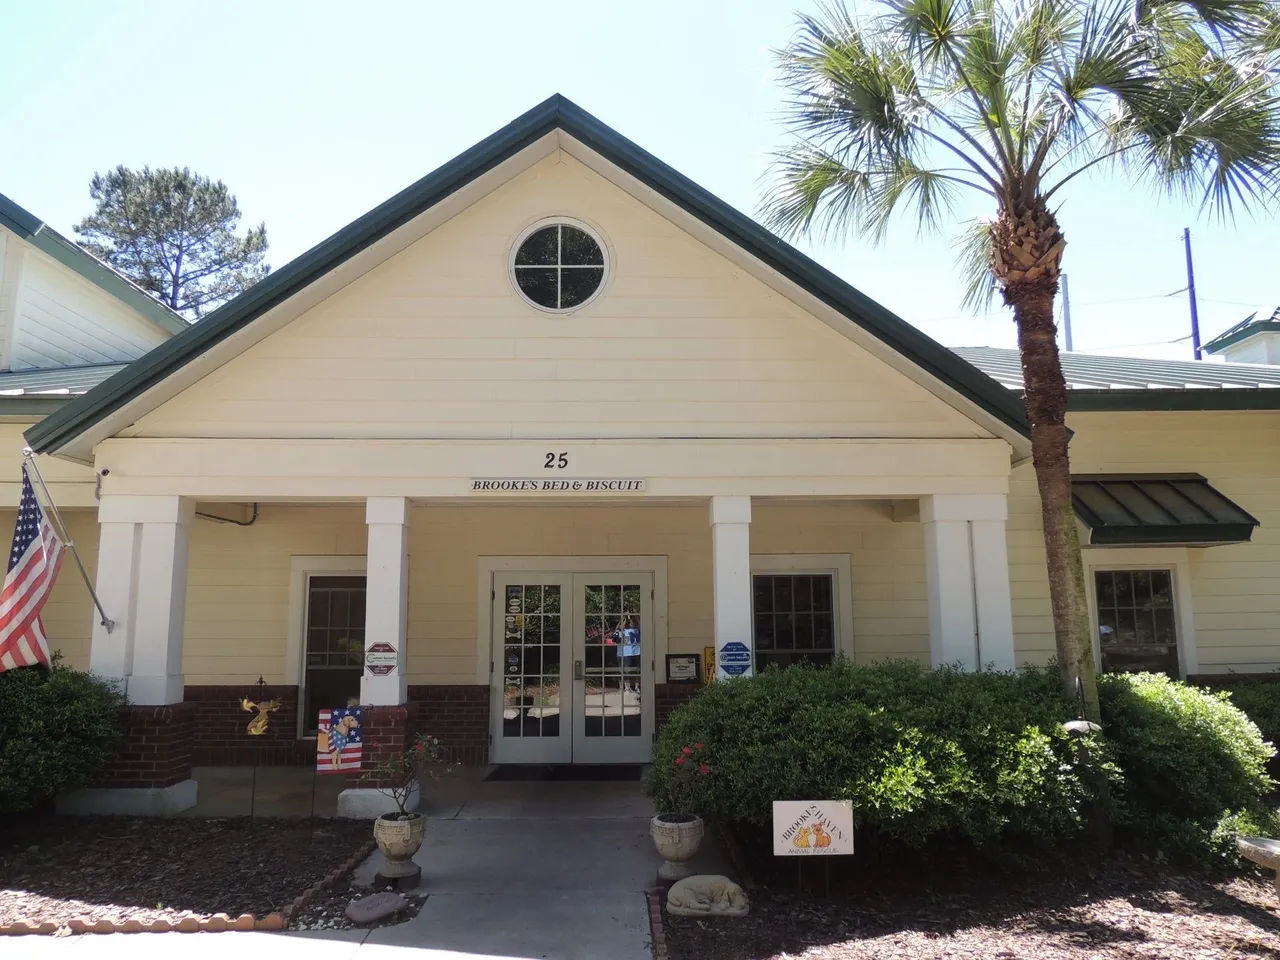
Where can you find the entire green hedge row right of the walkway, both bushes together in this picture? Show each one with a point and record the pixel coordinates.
(980, 757)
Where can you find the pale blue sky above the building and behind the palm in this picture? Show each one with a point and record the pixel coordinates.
(316, 112)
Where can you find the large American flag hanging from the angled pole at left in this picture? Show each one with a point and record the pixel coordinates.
(34, 563)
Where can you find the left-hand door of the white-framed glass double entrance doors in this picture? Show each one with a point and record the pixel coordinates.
(529, 655)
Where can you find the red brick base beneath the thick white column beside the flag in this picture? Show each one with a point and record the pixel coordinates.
(157, 751)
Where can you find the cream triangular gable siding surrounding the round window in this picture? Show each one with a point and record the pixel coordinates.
(436, 342)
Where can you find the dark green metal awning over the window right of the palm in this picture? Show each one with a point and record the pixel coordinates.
(1136, 510)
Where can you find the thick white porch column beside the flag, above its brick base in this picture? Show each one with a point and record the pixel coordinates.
(143, 584)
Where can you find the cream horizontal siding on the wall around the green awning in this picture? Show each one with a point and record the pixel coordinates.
(1236, 589)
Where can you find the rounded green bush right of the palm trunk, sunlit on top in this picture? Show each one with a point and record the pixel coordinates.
(1191, 761)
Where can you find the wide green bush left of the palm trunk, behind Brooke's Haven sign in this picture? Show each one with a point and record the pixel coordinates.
(920, 753)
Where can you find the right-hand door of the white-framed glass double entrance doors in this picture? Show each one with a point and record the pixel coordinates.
(614, 675)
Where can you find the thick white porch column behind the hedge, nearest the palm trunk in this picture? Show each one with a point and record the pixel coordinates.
(967, 572)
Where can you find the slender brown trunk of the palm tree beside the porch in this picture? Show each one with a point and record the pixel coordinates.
(1045, 391)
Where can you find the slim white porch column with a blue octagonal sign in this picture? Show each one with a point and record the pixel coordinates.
(732, 578)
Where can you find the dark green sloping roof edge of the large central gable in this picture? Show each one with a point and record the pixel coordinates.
(556, 113)
